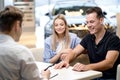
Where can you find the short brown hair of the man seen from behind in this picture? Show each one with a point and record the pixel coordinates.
(8, 16)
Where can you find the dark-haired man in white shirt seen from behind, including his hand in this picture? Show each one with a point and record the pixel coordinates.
(16, 61)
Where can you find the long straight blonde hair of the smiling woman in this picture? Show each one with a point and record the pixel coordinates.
(66, 33)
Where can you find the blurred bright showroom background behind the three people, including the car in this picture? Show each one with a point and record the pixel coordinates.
(39, 15)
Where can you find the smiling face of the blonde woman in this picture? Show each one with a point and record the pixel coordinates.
(59, 26)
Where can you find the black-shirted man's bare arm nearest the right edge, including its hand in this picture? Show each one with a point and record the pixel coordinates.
(107, 63)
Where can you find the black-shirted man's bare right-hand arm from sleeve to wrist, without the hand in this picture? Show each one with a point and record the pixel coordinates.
(108, 63)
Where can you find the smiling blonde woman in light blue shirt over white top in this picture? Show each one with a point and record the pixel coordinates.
(60, 42)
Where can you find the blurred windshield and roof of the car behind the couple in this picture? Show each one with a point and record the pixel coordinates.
(70, 8)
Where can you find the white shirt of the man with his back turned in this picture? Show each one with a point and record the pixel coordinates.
(16, 61)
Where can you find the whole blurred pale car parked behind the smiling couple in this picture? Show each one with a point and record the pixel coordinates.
(74, 12)
